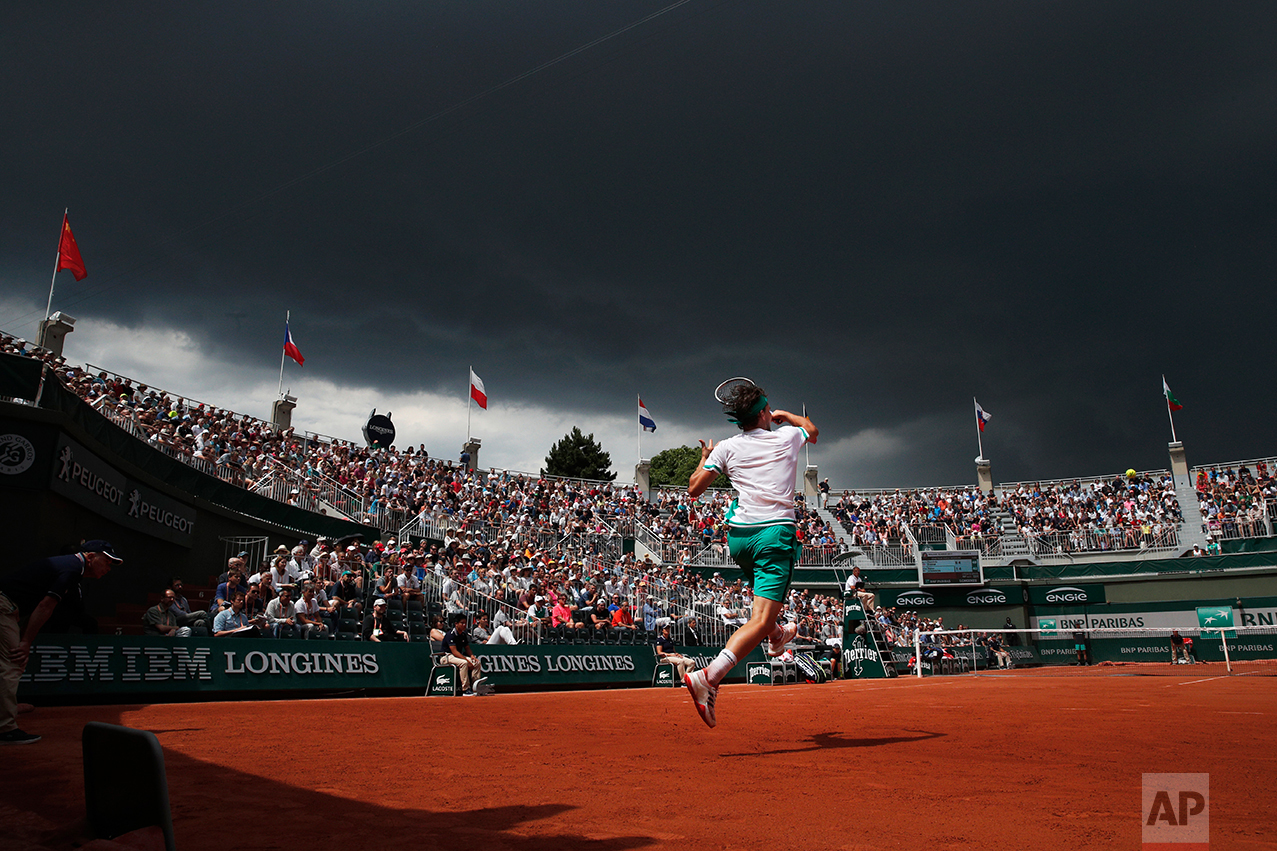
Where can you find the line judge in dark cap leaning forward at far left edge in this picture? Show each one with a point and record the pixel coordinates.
(31, 594)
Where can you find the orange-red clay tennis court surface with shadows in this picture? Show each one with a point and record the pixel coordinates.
(992, 762)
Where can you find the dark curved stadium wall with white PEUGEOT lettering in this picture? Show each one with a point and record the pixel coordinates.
(71, 475)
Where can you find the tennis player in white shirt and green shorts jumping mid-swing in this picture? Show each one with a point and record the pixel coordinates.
(763, 466)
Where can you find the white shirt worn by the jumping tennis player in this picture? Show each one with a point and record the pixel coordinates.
(763, 467)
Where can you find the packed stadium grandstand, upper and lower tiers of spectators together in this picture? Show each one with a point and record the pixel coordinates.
(577, 563)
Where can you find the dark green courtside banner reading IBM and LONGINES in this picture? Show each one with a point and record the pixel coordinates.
(85, 665)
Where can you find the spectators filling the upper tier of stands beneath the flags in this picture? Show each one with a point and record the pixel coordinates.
(586, 522)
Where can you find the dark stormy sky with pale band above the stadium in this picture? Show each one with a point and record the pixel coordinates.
(875, 210)
